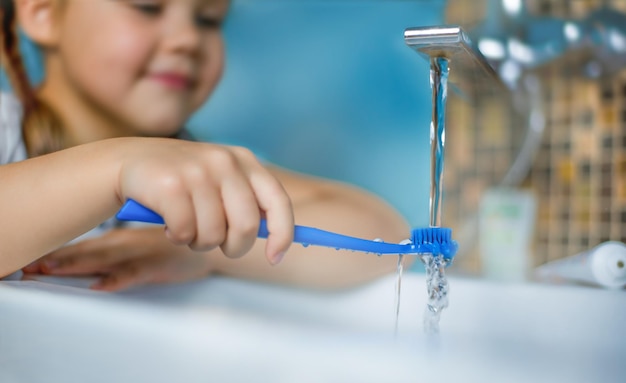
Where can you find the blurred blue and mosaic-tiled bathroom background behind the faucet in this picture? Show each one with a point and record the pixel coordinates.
(534, 172)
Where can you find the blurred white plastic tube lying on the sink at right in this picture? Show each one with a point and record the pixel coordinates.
(604, 265)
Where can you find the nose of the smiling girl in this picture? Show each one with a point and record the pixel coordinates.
(182, 34)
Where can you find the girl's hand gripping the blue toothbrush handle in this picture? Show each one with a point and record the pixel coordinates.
(209, 195)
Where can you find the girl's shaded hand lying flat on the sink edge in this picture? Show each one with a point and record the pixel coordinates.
(124, 258)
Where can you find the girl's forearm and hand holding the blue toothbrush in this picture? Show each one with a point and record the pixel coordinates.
(209, 196)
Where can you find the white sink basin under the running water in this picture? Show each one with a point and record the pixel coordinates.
(223, 330)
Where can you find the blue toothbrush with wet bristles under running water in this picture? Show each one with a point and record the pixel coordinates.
(432, 240)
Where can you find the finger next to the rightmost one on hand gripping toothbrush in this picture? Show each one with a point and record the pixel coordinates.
(242, 214)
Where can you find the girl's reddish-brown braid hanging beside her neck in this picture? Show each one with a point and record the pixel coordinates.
(41, 128)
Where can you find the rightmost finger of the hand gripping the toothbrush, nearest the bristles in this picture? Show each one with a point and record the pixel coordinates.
(276, 205)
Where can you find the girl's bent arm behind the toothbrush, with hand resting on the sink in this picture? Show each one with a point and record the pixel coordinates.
(129, 257)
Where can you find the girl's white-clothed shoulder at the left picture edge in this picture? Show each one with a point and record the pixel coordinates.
(12, 147)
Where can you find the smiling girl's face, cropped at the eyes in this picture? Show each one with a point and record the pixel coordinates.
(145, 63)
